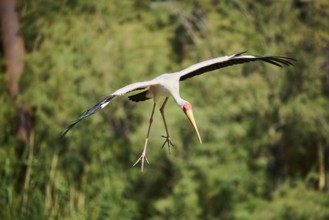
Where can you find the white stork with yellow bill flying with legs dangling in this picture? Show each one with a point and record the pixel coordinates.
(167, 85)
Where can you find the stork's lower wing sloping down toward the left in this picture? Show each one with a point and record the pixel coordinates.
(98, 106)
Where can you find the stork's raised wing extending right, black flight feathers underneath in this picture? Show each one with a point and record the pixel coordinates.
(221, 62)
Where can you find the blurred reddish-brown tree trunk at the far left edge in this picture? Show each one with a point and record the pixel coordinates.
(13, 45)
